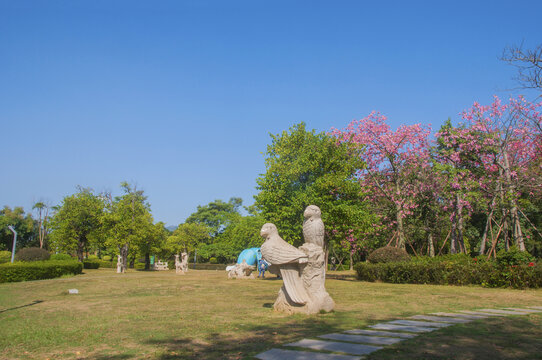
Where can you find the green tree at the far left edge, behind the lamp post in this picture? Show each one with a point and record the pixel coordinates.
(23, 224)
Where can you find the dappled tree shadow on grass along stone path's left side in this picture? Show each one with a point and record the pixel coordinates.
(230, 346)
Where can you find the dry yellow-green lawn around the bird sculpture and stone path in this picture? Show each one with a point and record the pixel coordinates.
(203, 315)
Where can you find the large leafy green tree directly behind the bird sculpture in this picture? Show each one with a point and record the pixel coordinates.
(304, 168)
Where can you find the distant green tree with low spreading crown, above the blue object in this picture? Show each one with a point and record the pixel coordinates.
(216, 215)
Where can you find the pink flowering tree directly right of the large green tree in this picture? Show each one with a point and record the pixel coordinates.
(393, 160)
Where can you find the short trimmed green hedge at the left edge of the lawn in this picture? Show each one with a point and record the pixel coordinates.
(38, 270)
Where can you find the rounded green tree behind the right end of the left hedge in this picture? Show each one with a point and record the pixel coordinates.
(77, 222)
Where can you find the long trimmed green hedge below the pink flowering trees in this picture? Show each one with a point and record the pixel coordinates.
(485, 273)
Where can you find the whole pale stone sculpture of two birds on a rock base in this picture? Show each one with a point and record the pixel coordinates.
(302, 270)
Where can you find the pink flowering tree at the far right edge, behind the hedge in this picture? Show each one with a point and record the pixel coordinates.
(494, 150)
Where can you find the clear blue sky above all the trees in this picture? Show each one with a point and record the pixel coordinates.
(179, 97)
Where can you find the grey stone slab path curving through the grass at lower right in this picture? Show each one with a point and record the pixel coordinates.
(352, 344)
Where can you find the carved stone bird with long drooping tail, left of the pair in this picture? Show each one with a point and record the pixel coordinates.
(287, 258)
